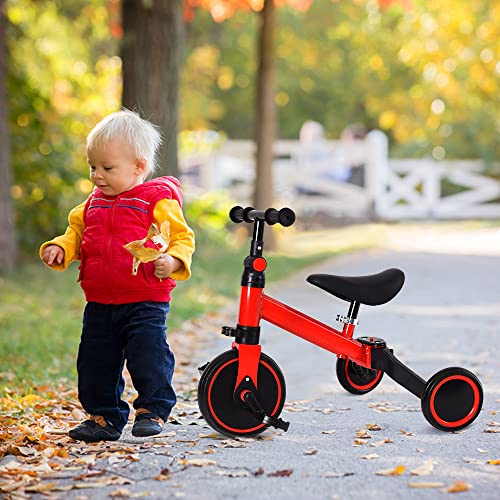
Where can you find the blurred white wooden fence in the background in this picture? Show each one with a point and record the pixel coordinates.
(354, 179)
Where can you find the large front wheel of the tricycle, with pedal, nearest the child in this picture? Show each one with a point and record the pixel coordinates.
(216, 388)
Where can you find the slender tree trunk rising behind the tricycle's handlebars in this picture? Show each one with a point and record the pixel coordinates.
(265, 120)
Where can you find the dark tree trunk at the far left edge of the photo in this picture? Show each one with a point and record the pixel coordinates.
(8, 250)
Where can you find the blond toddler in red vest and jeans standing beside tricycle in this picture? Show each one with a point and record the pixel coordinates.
(125, 315)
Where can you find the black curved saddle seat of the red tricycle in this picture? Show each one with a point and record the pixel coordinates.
(372, 290)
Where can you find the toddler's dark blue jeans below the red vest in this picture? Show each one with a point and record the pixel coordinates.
(133, 332)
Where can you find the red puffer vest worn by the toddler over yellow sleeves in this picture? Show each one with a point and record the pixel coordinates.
(111, 222)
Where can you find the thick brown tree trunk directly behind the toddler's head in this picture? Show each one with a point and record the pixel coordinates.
(151, 55)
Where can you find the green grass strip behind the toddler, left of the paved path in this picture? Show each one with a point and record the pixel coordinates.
(41, 310)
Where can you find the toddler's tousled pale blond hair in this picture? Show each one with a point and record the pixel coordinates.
(143, 136)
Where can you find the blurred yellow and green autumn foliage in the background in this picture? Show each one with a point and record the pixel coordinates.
(427, 74)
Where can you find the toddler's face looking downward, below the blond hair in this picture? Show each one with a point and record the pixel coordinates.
(114, 168)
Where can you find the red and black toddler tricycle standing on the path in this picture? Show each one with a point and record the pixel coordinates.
(242, 391)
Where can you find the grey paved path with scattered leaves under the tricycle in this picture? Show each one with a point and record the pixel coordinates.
(448, 314)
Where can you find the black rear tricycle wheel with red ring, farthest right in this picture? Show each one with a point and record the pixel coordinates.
(452, 399)
